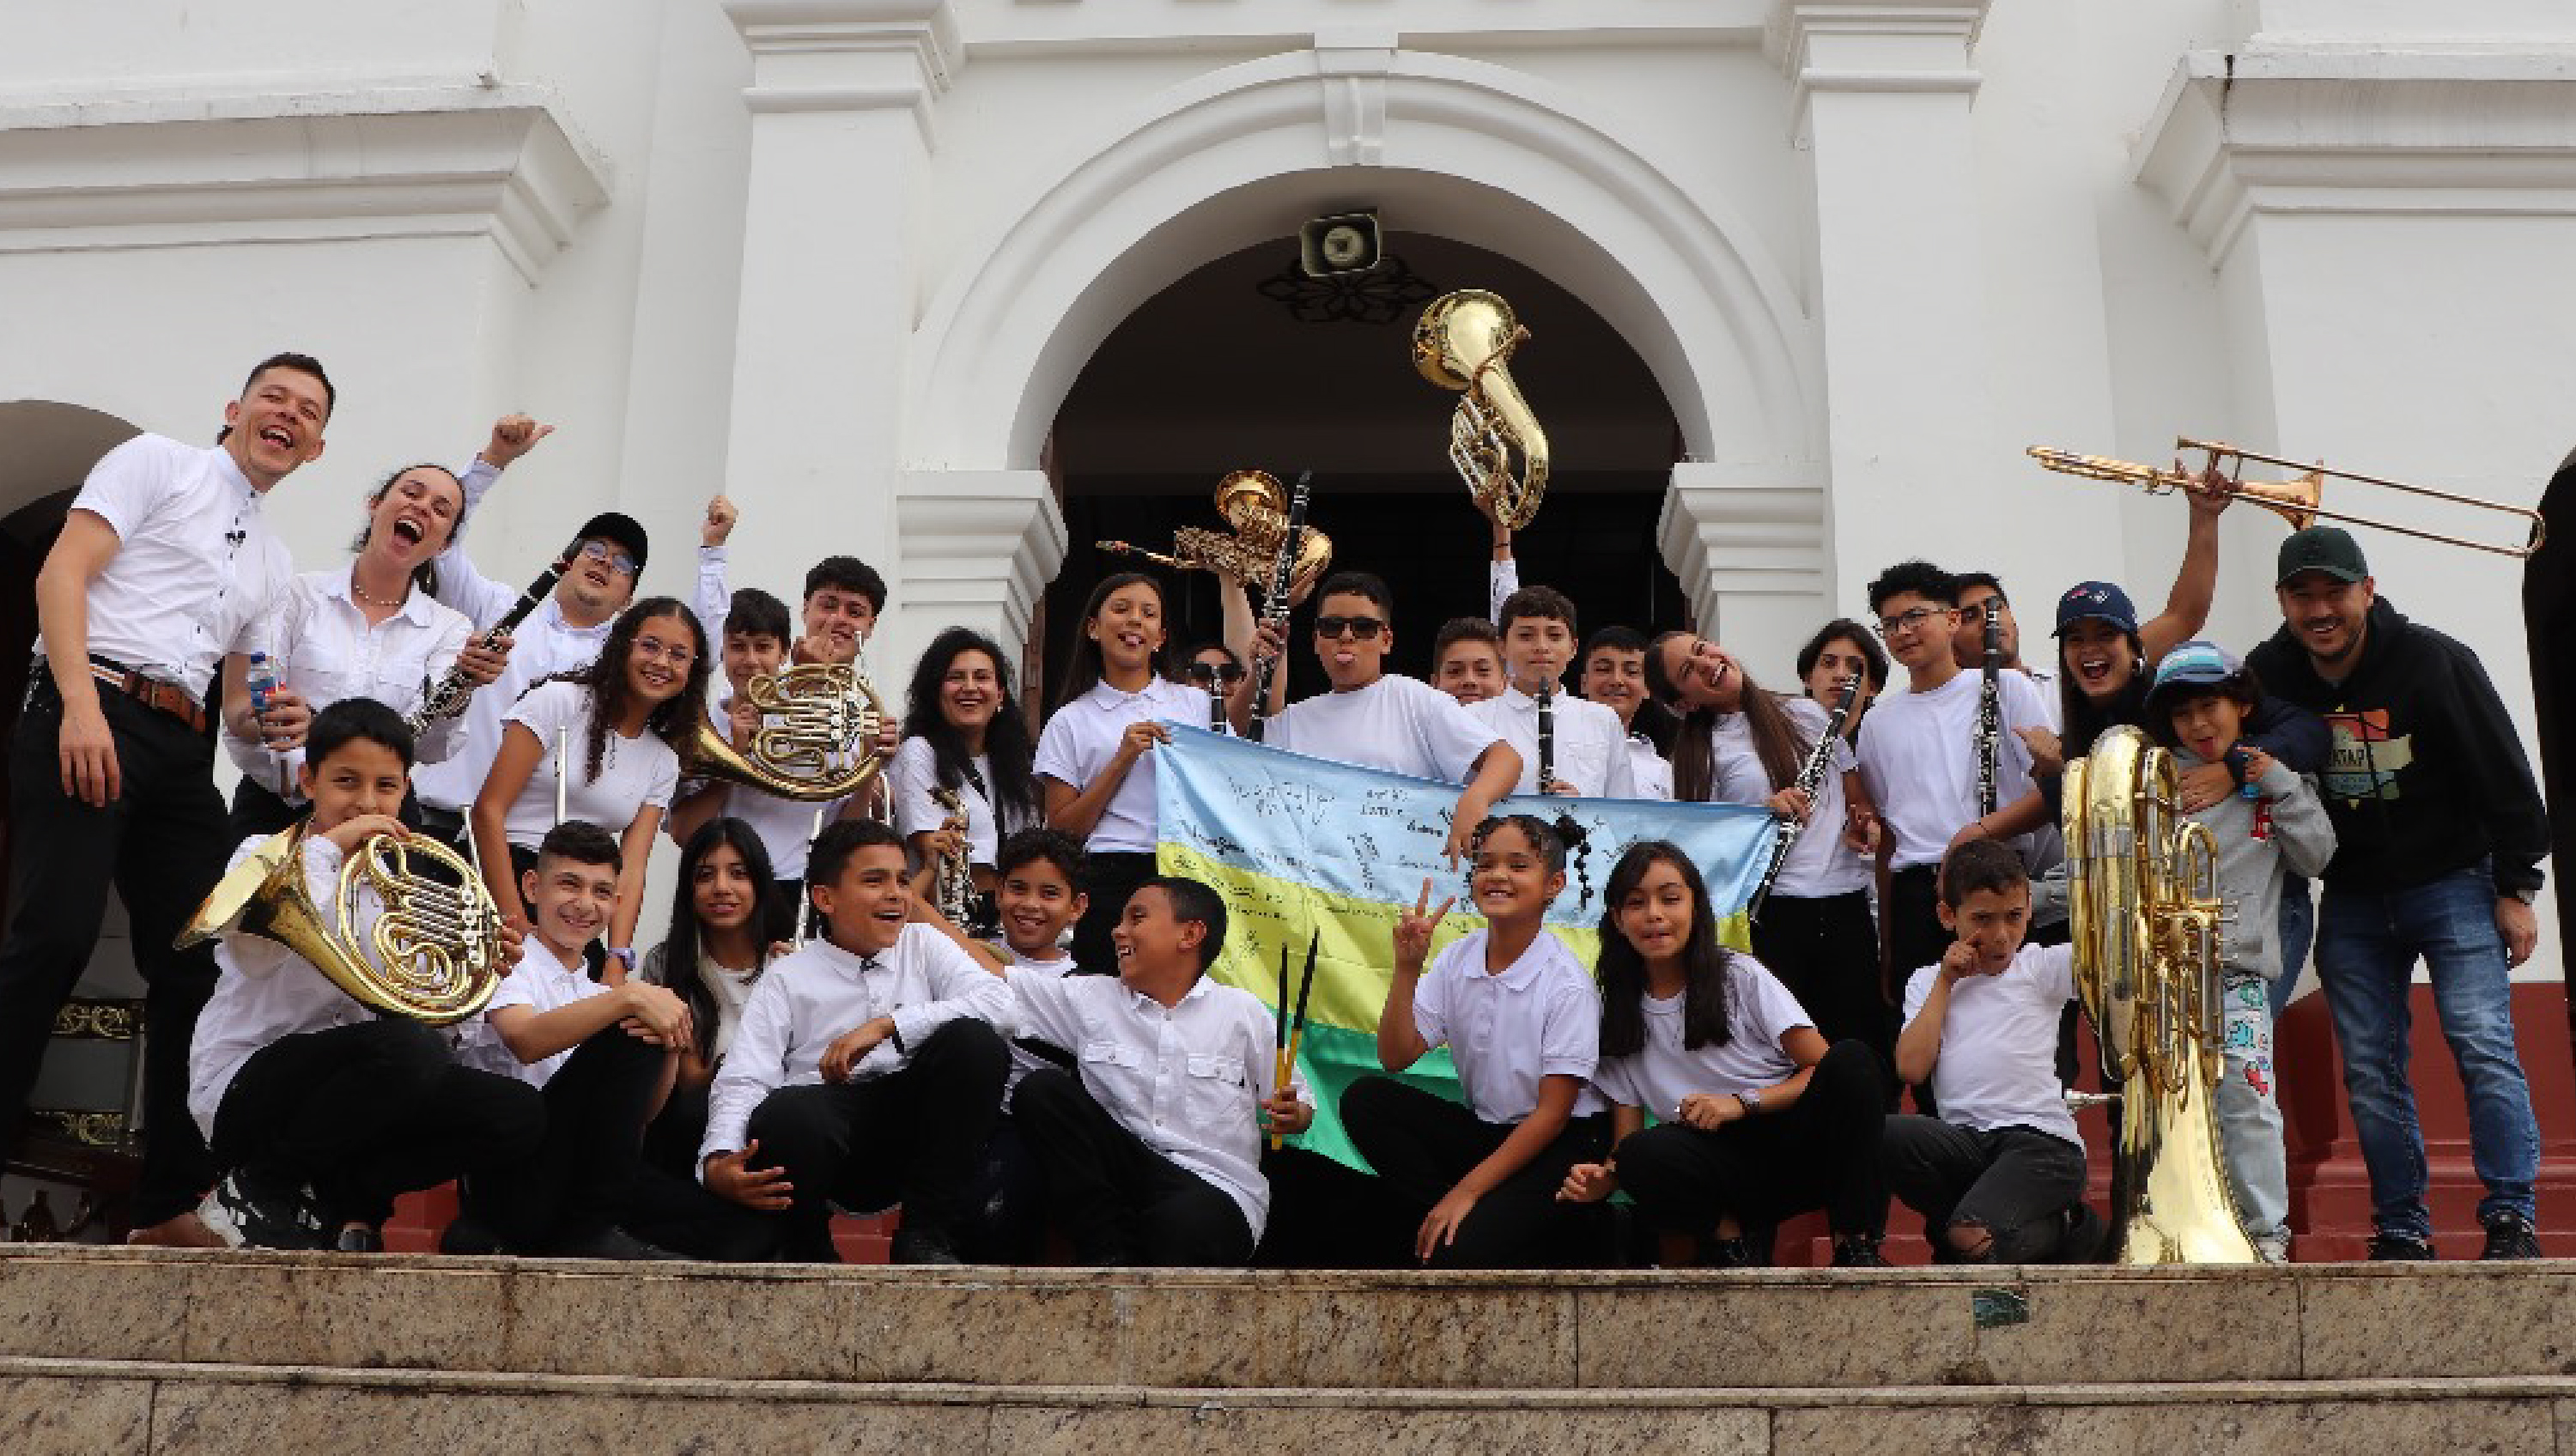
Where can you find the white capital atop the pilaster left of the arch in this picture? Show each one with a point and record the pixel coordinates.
(849, 55)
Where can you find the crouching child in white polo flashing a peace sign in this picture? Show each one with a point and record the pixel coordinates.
(1524, 1027)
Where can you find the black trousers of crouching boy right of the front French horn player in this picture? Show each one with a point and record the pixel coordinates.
(583, 1176)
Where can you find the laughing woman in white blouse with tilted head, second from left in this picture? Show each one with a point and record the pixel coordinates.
(370, 630)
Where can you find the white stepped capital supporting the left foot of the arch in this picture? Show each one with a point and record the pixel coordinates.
(954, 530)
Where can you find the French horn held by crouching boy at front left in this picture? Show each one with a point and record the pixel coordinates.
(431, 955)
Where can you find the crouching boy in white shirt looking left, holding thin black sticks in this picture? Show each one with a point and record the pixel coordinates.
(1153, 1145)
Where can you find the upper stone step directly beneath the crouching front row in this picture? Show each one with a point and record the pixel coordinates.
(1292, 1331)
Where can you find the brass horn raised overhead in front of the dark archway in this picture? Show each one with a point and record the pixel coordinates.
(1464, 341)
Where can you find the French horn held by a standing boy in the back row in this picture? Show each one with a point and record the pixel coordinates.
(815, 741)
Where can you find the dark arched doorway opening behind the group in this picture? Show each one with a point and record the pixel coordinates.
(1217, 375)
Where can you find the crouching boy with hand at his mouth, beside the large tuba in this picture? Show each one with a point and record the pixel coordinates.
(2000, 1174)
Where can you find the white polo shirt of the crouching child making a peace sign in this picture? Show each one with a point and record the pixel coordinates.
(1539, 1019)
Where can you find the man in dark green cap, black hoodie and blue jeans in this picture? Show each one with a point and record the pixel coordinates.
(2441, 839)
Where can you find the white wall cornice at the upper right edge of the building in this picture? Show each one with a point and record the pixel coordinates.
(2366, 133)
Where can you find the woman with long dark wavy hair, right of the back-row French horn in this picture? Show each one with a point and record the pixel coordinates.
(965, 733)
